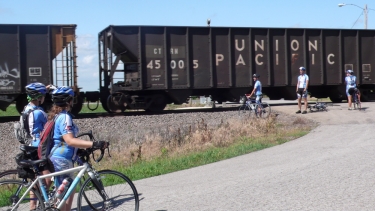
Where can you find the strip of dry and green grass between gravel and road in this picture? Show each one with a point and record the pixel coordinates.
(195, 145)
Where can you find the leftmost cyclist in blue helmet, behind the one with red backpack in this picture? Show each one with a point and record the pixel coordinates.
(36, 120)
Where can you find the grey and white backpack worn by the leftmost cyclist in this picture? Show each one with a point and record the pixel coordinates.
(21, 128)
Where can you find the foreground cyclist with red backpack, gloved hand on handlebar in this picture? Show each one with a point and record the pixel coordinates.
(65, 146)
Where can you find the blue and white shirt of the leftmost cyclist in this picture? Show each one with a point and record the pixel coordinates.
(37, 119)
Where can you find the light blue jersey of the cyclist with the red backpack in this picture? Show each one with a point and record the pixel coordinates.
(63, 126)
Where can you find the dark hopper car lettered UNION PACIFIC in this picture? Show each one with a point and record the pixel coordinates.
(149, 66)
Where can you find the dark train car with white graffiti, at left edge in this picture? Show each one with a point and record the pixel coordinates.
(36, 53)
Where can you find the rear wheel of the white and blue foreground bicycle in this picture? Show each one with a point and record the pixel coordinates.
(12, 190)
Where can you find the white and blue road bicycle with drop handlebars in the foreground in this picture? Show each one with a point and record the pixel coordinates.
(99, 185)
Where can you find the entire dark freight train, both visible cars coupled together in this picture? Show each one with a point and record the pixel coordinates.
(148, 67)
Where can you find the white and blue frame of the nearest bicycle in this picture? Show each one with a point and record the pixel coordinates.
(82, 169)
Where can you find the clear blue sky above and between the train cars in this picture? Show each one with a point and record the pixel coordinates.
(92, 16)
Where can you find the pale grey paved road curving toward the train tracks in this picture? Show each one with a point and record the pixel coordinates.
(331, 168)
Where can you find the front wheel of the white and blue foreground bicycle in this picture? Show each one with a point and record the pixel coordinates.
(120, 190)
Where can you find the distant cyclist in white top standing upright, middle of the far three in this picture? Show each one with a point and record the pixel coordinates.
(301, 89)
